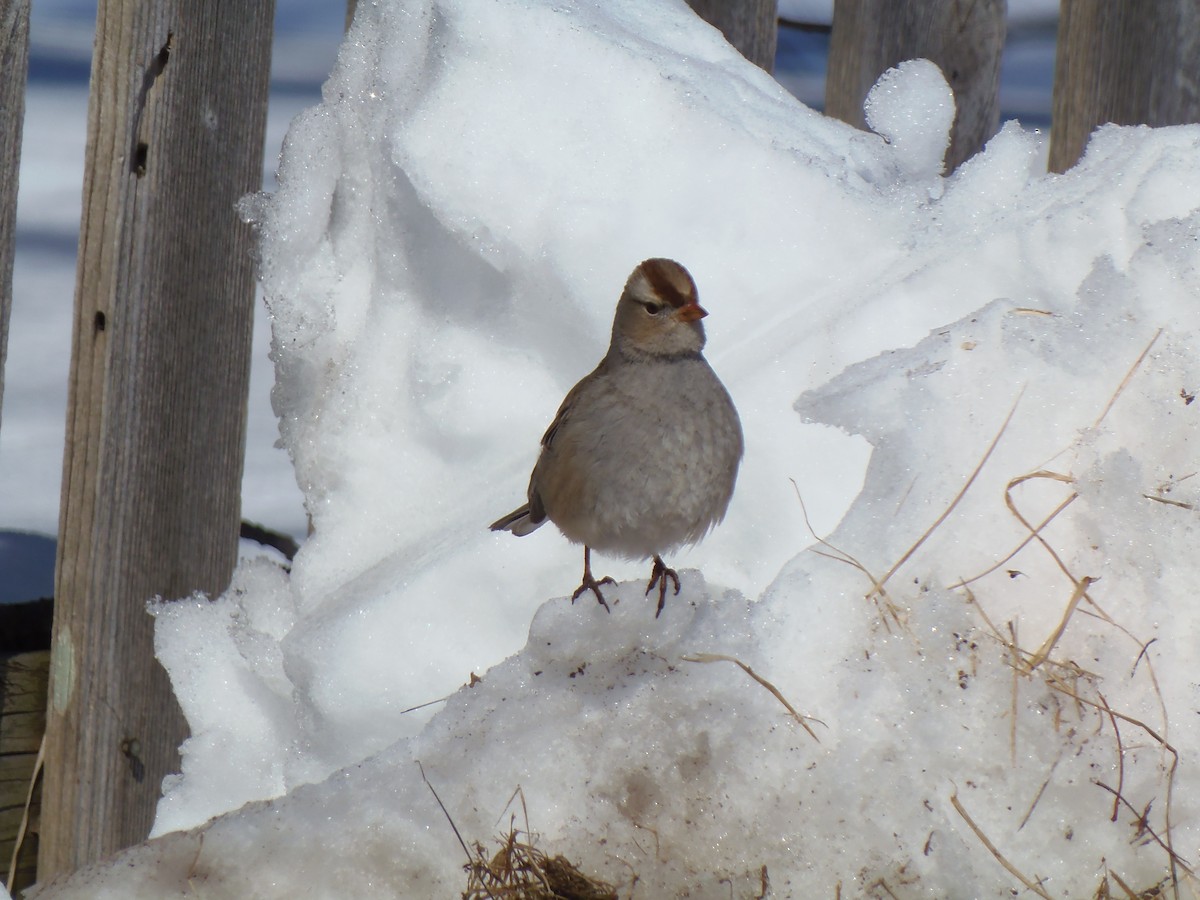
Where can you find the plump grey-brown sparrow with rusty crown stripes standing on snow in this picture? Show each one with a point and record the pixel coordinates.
(644, 454)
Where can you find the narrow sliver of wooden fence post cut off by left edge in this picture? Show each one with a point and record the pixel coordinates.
(14, 68)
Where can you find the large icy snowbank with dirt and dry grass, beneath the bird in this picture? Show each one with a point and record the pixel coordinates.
(442, 261)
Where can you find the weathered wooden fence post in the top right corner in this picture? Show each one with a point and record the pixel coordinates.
(1125, 63)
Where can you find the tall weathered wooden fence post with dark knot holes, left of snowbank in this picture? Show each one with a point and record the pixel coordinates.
(157, 412)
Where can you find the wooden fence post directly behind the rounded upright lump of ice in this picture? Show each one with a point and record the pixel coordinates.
(964, 38)
